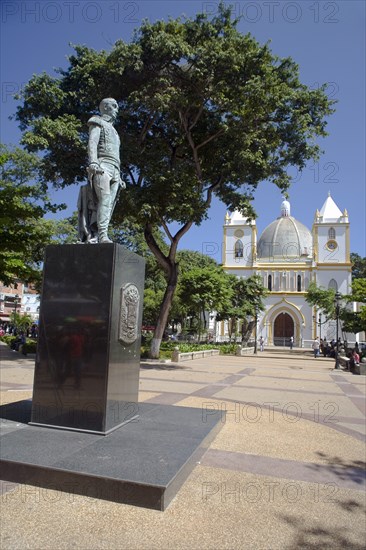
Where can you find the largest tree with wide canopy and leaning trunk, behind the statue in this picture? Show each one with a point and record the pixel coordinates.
(204, 110)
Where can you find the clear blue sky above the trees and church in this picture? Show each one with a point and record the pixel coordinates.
(326, 39)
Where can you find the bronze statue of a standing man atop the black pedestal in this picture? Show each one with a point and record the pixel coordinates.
(104, 165)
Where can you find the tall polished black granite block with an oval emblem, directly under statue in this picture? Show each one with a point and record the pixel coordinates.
(88, 355)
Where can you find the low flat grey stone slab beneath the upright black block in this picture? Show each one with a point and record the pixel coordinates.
(143, 463)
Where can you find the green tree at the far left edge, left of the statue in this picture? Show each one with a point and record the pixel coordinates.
(24, 202)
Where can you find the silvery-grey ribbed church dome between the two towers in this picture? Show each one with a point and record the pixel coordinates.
(285, 239)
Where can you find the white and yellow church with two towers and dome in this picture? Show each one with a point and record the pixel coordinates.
(288, 256)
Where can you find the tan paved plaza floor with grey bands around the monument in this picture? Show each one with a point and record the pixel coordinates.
(286, 471)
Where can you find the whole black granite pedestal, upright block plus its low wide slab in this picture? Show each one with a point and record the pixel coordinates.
(86, 383)
